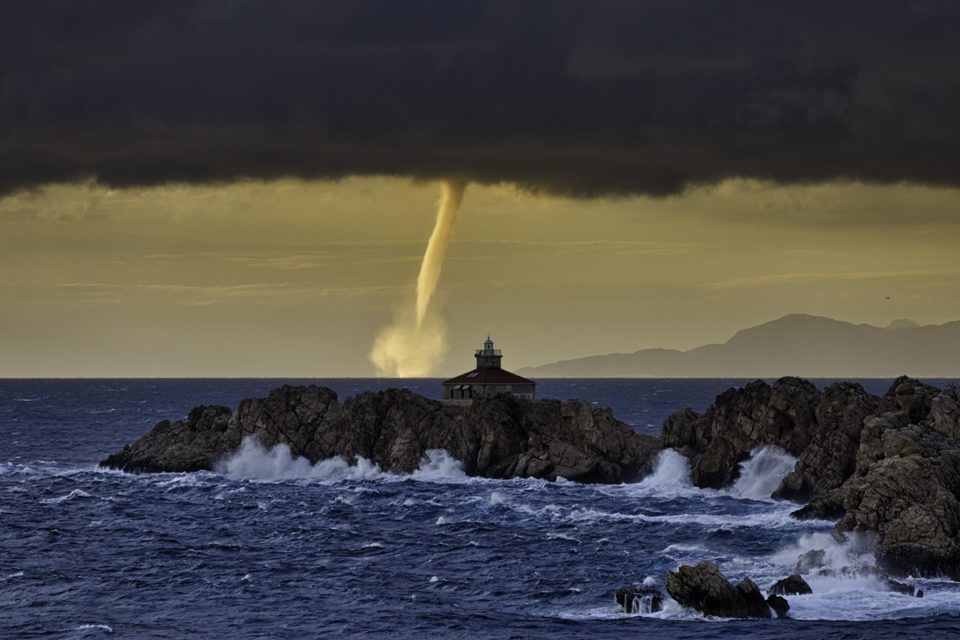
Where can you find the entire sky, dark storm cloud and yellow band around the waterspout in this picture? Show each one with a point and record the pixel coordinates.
(219, 188)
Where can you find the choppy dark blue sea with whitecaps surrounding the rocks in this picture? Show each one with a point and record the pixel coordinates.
(273, 547)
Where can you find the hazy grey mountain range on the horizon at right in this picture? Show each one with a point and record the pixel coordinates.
(797, 344)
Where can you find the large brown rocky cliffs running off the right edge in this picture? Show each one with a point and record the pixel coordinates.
(890, 464)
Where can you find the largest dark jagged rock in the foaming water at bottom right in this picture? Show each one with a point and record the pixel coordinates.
(705, 589)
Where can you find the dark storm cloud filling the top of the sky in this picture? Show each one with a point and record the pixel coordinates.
(574, 97)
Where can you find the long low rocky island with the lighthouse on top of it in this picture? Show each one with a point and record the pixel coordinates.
(498, 437)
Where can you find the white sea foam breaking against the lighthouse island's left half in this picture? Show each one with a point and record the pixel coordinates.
(253, 461)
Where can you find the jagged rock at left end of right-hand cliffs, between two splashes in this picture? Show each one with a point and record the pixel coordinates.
(739, 421)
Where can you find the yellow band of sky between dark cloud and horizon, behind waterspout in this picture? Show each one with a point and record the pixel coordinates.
(296, 278)
